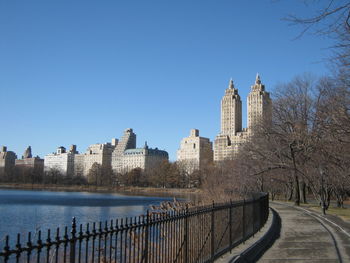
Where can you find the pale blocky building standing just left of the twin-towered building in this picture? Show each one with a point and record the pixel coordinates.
(194, 152)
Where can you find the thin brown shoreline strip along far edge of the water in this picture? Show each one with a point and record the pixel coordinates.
(128, 190)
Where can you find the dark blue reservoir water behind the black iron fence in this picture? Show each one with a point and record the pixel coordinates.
(22, 211)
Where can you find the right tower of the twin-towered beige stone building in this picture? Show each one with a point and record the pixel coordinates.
(259, 107)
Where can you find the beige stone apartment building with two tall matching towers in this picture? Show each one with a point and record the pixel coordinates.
(259, 108)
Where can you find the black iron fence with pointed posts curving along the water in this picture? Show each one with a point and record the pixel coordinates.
(199, 234)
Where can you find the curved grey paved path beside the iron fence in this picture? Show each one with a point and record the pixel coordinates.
(308, 237)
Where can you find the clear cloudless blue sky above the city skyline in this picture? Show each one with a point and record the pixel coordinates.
(80, 71)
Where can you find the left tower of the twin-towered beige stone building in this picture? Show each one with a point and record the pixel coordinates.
(231, 111)
